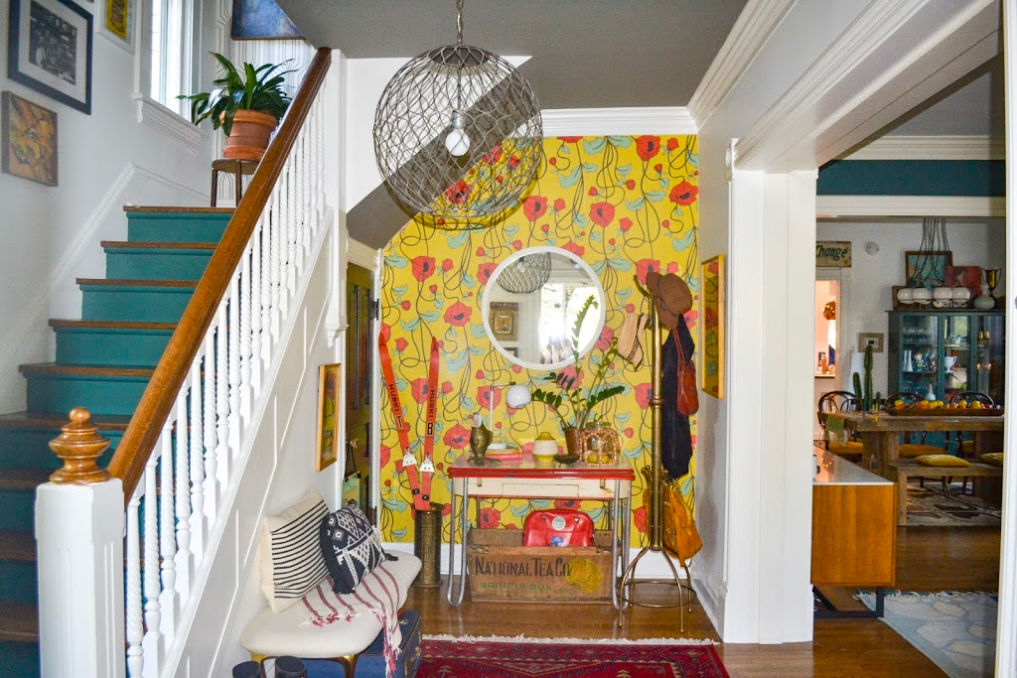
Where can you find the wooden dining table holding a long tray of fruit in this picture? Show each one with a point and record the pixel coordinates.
(881, 434)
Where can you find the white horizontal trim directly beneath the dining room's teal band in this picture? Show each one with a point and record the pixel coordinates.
(847, 207)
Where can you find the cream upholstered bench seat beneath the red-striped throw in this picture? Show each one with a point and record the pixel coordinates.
(290, 632)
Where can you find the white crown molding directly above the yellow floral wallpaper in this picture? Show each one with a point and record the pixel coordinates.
(605, 122)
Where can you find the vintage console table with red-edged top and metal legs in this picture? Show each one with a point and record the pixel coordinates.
(526, 479)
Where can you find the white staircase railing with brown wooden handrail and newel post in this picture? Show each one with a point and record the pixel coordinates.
(182, 456)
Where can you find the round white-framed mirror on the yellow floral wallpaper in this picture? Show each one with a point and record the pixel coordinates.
(531, 304)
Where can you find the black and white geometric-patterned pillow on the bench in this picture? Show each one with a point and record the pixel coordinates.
(350, 547)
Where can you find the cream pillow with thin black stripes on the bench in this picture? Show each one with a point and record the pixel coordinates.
(291, 559)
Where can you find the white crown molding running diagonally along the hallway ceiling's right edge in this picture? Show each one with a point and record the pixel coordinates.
(748, 36)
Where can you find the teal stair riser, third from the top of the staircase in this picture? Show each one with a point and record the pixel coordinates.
(146, 304)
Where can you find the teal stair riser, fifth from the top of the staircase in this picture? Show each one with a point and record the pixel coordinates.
(103, 396)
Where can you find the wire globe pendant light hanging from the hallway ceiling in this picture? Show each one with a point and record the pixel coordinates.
(458, 133)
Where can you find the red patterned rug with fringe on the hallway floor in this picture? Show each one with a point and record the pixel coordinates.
(529, 658)
